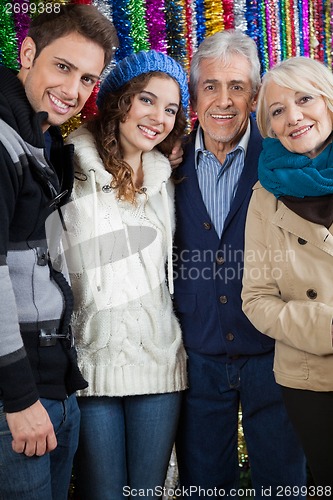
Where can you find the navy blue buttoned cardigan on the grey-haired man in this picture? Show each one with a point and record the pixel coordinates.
(208, 270)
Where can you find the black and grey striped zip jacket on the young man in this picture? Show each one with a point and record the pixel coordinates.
(32, 295)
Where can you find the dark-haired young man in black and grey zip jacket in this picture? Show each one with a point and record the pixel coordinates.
(62, 59)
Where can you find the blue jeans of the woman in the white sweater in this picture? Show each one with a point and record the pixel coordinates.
(125, 444)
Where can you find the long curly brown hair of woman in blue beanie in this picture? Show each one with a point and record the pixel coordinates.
(105, 129)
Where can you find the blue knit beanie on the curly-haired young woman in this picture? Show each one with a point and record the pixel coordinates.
(138, 64)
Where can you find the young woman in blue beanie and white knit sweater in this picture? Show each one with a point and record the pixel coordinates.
(121, 220)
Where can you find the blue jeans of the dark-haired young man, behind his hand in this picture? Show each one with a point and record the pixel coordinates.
(47, 477)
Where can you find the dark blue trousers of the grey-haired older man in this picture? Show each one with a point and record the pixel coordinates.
(206, 442)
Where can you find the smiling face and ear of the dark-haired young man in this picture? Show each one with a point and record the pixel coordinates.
(60, 80)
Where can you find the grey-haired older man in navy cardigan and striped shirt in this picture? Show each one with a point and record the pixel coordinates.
(230, 363)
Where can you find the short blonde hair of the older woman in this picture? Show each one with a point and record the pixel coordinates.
(300, 74)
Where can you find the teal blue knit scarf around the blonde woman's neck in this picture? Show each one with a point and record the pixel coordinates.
(290, 174)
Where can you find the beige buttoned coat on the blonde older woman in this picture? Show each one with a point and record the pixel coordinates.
(288, 290)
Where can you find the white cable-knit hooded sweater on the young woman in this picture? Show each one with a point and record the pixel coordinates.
(128, 338)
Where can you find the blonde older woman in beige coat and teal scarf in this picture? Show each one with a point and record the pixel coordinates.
(288, 276)
